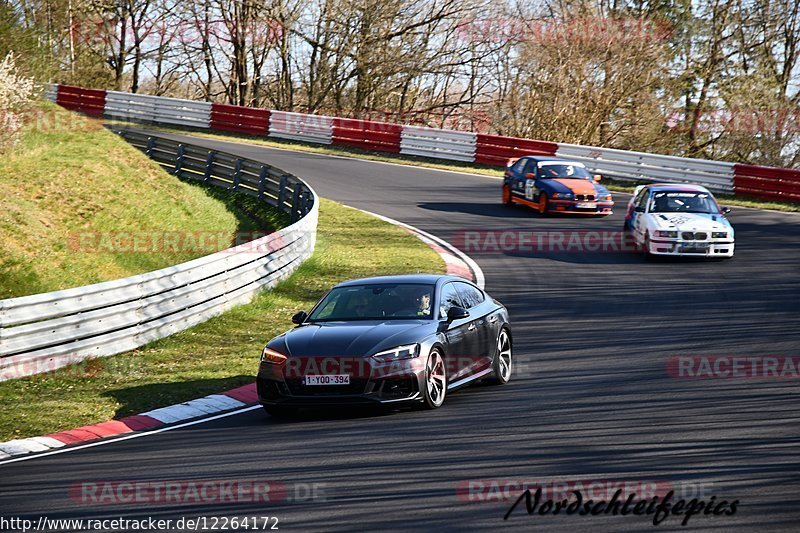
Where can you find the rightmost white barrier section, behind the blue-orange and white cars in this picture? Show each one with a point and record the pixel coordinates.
(639, 166)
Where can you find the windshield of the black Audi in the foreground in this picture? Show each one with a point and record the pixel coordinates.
(375, 301)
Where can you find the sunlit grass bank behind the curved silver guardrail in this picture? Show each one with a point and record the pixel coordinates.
(73, 196)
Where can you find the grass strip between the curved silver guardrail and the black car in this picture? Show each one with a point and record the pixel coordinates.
(219, 354)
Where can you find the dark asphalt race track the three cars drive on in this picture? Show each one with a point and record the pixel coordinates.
(592, 398)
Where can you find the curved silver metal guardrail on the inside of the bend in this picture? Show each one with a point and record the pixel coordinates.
(43, 332)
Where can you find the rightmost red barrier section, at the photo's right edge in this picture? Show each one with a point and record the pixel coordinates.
(767, 183)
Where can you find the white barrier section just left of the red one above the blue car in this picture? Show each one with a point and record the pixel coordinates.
(441, 144)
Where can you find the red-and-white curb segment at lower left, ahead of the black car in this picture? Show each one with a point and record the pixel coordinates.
(212, 404)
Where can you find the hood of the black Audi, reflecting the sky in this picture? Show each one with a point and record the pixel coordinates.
(354, 338)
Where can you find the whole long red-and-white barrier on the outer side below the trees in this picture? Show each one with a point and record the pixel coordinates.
(776, 184)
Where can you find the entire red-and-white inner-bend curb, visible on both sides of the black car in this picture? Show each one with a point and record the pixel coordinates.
(213, 405)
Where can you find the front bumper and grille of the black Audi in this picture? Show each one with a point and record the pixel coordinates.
(370, 384)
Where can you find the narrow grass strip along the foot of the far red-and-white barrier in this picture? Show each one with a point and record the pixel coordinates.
(453, 166)
